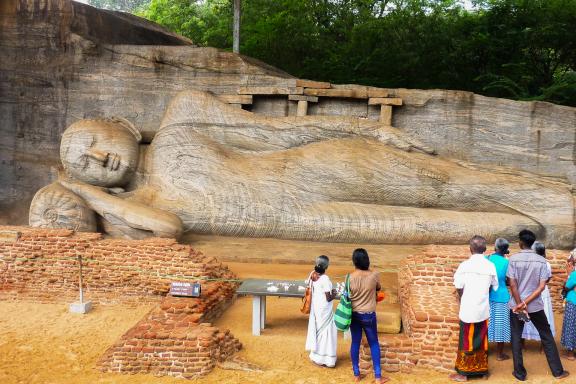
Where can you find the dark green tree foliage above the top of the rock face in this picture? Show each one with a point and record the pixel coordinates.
(520, 49)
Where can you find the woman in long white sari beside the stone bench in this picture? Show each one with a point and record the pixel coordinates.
(322, 333)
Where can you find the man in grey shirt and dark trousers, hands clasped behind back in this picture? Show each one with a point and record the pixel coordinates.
(527, 275)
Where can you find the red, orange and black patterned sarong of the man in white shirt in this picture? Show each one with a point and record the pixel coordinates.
(472, 358)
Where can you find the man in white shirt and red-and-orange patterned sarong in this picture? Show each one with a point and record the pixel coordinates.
(473, 280)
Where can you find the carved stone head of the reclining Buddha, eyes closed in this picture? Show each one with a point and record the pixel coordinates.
(100, 152)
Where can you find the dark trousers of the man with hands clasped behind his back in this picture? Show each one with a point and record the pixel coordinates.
(541, 323)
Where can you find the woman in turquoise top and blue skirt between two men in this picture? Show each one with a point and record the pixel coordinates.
(499, 324)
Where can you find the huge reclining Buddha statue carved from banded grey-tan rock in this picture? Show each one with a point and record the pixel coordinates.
(214, 169)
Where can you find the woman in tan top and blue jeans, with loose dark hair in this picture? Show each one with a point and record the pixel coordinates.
(364, 285)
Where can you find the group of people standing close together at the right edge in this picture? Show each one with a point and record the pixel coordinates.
(506, 300)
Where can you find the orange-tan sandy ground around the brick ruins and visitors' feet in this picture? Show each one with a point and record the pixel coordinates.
(43, 343)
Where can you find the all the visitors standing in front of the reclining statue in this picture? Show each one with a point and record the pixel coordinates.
(502, 300)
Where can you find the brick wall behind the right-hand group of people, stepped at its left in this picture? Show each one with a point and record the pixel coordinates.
(429, 306)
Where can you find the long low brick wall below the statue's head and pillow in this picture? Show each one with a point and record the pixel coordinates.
(41, 264)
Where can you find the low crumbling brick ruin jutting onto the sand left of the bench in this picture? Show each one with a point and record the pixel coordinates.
(175, 339)
